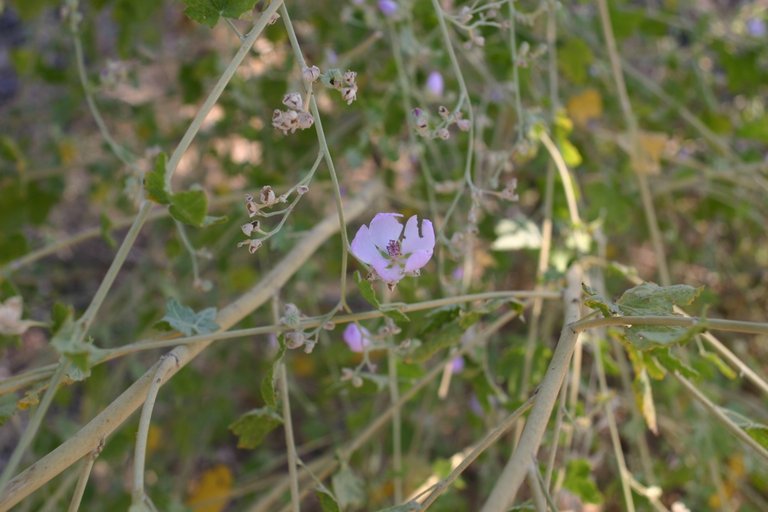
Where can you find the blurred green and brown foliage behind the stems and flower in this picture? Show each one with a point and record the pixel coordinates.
(697, 75)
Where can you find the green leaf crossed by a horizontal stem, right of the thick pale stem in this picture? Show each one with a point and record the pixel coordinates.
(649, 299)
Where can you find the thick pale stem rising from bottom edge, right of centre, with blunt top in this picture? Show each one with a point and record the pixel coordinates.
(508, 483)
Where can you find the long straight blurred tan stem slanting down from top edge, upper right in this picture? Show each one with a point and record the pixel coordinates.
(636, 152)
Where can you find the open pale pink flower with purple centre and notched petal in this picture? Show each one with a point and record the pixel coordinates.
(394, 252)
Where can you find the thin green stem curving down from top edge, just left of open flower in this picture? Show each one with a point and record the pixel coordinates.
(326, 152)
